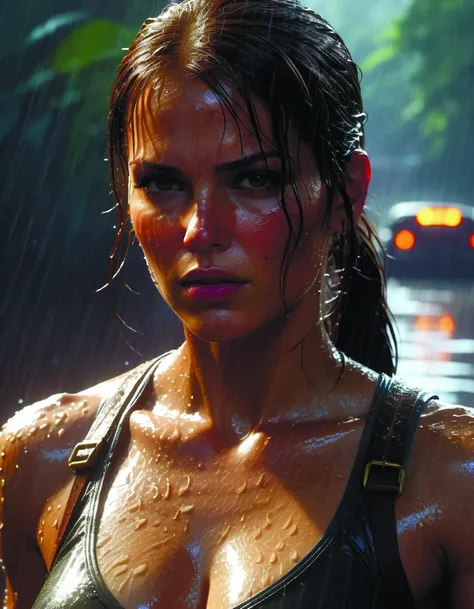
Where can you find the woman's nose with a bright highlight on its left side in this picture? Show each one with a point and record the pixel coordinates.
(207, 228)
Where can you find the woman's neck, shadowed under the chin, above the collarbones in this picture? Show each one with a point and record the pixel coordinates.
(275, 375)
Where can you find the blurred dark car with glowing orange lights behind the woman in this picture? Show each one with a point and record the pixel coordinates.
(430, 240)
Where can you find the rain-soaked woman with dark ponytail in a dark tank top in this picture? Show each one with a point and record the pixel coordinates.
(264, 462)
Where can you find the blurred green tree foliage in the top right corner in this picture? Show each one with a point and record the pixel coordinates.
(436, 38)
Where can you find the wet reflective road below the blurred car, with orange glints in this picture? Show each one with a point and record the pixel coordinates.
(436, 337)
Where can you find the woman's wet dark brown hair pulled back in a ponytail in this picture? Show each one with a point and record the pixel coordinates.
(294, 62)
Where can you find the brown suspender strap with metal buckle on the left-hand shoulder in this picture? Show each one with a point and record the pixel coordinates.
(86, 454)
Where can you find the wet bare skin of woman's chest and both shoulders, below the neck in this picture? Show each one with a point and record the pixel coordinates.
(177, 502)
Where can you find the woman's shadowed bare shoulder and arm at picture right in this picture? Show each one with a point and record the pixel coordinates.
(443, 470)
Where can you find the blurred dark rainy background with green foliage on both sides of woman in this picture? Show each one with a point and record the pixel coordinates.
(57, 62)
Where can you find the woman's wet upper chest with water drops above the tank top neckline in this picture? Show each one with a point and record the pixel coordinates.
(183, 525)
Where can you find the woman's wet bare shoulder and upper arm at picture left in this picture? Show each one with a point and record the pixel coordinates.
(35, 444)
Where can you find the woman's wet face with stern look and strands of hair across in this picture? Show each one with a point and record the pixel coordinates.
(202, 199)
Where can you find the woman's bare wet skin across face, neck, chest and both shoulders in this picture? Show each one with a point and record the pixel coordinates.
(193, 491)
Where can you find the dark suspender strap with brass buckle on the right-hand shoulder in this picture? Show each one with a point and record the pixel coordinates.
(384, 480)
